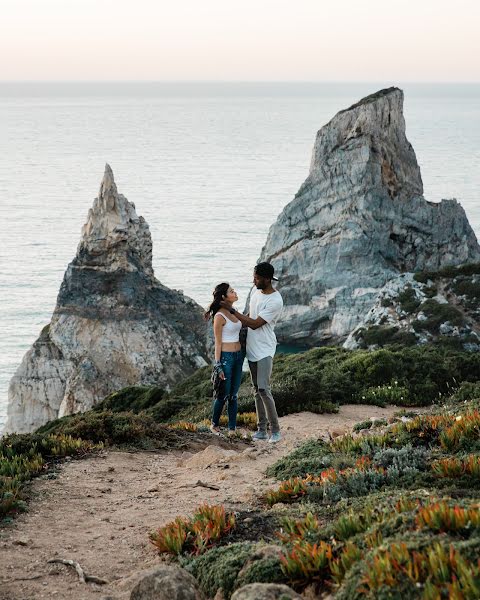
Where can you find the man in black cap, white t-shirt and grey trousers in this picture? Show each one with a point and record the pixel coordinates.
(265, 307)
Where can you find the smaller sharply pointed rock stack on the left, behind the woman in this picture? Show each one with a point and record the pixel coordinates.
(114, 324)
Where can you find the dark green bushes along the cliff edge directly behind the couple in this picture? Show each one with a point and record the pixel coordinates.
(318, 380)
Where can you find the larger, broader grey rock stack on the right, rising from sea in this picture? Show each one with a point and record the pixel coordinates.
(359, 220)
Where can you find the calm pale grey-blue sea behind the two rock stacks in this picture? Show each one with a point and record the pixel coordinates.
(209, 166)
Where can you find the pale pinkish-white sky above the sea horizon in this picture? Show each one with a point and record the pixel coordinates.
(246, 40)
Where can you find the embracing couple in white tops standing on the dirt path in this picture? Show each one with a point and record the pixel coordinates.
(264, 309)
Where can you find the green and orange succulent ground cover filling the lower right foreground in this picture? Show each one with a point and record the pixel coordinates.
(394, 514)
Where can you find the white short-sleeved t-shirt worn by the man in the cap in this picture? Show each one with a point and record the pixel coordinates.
(262, 342)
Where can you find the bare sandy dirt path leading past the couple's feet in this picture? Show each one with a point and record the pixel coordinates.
(99, 511)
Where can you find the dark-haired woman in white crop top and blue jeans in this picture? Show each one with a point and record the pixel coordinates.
(229, 356)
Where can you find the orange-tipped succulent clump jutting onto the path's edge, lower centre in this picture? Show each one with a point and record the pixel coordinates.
(195, 535)
